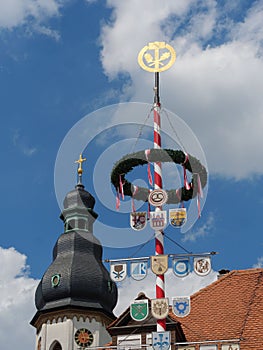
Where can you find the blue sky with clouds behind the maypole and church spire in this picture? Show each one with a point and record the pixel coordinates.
(62, 61)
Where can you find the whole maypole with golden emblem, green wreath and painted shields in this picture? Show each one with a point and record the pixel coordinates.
(157, 57)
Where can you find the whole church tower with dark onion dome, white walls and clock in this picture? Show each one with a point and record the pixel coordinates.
(75, 296)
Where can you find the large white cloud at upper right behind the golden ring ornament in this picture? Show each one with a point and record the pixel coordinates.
(216, 82)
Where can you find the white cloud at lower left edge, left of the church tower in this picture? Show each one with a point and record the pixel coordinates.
(17, 301)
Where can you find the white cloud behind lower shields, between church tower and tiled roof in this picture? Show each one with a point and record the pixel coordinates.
(174, 286)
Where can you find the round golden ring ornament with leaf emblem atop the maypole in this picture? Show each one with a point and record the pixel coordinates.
(156, 57)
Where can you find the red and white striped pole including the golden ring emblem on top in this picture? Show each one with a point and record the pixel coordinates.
(157, 57)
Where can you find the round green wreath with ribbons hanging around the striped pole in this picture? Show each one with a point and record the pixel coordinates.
(130, 161)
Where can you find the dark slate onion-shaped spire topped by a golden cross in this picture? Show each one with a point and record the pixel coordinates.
(77, 277)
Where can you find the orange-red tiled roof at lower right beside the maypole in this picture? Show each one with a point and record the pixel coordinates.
(230, 308)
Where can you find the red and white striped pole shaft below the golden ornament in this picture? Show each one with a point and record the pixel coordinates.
(158, 184)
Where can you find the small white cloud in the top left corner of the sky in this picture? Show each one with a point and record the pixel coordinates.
(14, 13)
